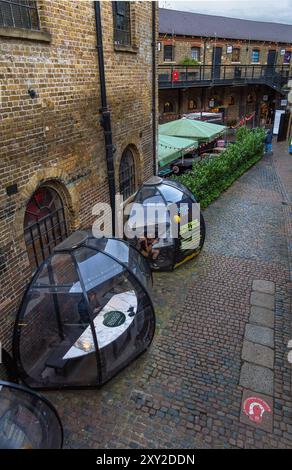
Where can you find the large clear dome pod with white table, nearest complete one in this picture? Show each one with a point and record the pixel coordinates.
(86, 314)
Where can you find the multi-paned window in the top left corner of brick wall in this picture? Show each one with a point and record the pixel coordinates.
(19, 14)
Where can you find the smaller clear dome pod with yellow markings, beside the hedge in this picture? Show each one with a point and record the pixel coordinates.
(166, 238)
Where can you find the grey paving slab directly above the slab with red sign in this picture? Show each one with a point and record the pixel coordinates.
(257, 378)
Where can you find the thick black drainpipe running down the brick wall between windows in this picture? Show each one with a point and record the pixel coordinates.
(106, 116)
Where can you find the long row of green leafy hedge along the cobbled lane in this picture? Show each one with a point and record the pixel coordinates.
(209, 178)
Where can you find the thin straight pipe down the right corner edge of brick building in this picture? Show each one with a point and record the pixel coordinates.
(155, 168)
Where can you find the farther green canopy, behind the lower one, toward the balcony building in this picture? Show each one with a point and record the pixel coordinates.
(200, 130)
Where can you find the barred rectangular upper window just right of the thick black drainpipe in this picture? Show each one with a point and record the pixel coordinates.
(122, 23)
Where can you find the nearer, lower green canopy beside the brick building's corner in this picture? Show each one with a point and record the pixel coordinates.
(170, 148)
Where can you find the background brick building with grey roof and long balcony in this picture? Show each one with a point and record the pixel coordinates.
(209, 63)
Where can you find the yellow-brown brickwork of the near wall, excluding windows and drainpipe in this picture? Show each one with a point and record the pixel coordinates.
(56, 138)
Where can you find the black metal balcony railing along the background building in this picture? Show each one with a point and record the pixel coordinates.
(181, 76)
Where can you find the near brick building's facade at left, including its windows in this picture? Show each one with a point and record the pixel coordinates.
(53, 156)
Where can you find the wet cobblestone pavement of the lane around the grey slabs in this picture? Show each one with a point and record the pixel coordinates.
(185, 392)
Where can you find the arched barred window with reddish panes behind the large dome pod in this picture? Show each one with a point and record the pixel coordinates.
(44, 224)
